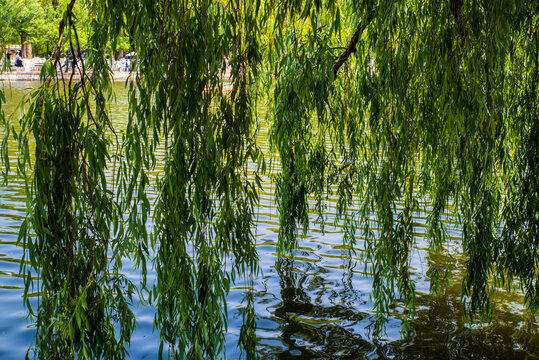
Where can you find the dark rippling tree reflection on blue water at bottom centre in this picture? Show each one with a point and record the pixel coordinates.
(312, 330)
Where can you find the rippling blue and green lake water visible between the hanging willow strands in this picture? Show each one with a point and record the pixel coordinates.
(314, 305)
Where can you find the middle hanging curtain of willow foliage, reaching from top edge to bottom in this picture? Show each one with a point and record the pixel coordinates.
(205, 210)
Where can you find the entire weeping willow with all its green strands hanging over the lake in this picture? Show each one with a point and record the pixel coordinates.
(395, 104)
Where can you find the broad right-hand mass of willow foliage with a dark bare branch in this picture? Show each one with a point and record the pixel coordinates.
(421, 105)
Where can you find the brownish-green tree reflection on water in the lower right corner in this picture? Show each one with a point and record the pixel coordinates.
(439, 332)
